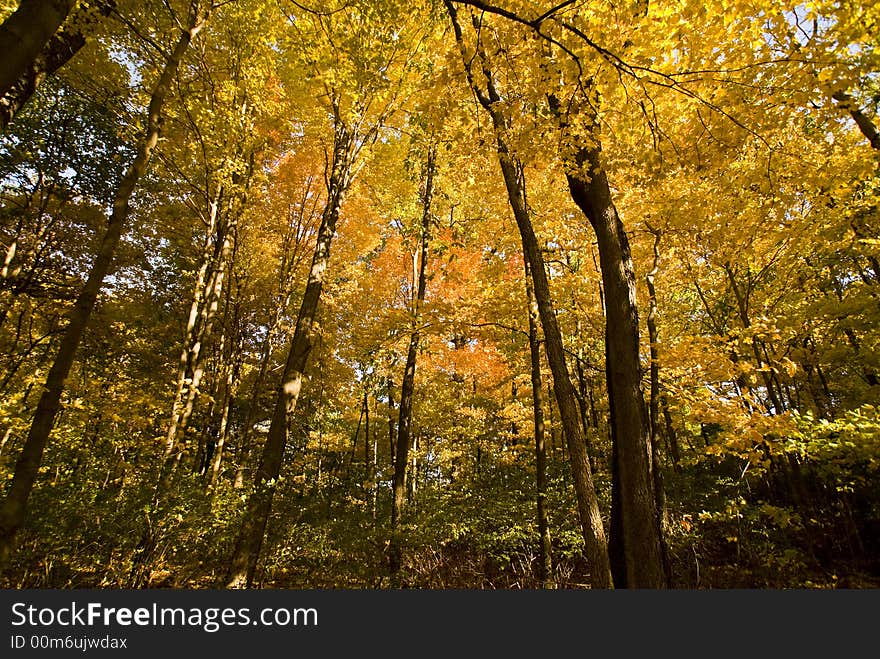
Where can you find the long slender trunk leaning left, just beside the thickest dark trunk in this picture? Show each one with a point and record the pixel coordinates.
(596, 547)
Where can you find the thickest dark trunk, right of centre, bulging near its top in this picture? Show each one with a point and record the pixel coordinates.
(634, 512)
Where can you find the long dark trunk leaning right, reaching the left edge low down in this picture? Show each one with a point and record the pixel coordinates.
(12, 513)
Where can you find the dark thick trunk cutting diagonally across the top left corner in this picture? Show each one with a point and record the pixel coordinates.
(25, 33)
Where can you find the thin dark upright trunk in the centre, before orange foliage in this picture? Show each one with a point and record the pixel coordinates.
(404, 422)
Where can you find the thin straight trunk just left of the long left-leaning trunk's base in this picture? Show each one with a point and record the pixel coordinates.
(545, 546)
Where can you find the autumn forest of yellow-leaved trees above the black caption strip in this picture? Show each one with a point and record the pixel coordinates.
(440, 294)
